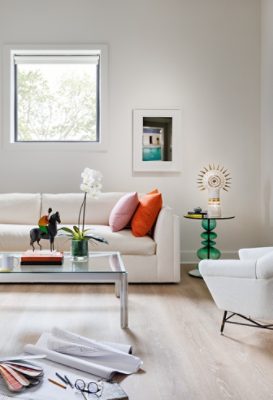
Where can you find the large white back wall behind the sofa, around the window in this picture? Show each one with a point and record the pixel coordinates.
(201, 56)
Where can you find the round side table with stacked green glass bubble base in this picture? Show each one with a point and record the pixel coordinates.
(208, 251)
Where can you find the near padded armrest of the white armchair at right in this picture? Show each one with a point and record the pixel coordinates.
(228, 268)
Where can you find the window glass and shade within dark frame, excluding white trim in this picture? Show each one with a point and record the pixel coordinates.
(57, 98)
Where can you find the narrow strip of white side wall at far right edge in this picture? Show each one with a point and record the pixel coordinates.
(267, 122)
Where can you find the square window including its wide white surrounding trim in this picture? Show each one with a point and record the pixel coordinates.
(57, 96)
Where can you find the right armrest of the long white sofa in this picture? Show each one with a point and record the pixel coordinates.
(167, 238)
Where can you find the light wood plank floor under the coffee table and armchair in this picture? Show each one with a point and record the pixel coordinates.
(174, 329)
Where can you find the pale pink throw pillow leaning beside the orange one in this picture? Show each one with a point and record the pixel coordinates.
(123, 211)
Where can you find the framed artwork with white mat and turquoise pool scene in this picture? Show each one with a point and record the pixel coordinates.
(156, 140)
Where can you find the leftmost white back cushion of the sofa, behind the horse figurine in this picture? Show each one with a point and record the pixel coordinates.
(20, 208)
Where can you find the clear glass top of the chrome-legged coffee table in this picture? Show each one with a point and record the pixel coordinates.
(98, 262)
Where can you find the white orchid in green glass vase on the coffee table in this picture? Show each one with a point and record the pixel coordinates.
(91, 184)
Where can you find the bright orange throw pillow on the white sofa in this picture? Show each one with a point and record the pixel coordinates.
(146, 213)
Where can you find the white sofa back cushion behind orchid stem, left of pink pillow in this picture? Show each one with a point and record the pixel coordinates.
(68, 204)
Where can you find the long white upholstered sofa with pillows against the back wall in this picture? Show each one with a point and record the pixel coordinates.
(147, 259)
